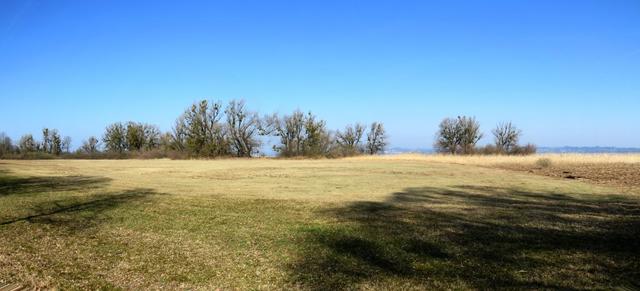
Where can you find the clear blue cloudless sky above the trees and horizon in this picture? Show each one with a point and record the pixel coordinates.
(566, 72)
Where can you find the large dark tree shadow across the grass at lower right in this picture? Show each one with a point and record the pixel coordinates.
(478, 238)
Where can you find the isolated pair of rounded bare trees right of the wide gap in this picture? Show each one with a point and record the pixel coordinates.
(460, 136)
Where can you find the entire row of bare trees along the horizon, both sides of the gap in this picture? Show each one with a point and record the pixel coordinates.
(209, 129)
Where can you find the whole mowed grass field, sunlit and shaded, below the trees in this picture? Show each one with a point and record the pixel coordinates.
(363, 223)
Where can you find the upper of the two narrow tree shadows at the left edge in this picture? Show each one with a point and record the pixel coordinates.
(11, 185)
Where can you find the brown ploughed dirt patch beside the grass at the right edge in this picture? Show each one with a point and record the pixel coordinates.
(614, 174)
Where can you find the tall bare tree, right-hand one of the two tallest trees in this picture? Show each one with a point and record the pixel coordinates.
(243, 127)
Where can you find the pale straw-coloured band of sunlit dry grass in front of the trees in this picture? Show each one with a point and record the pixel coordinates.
(309, 180)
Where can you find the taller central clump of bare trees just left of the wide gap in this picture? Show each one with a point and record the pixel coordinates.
(207, 130)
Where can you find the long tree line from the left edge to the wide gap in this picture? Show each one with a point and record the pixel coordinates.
(210, 130)
